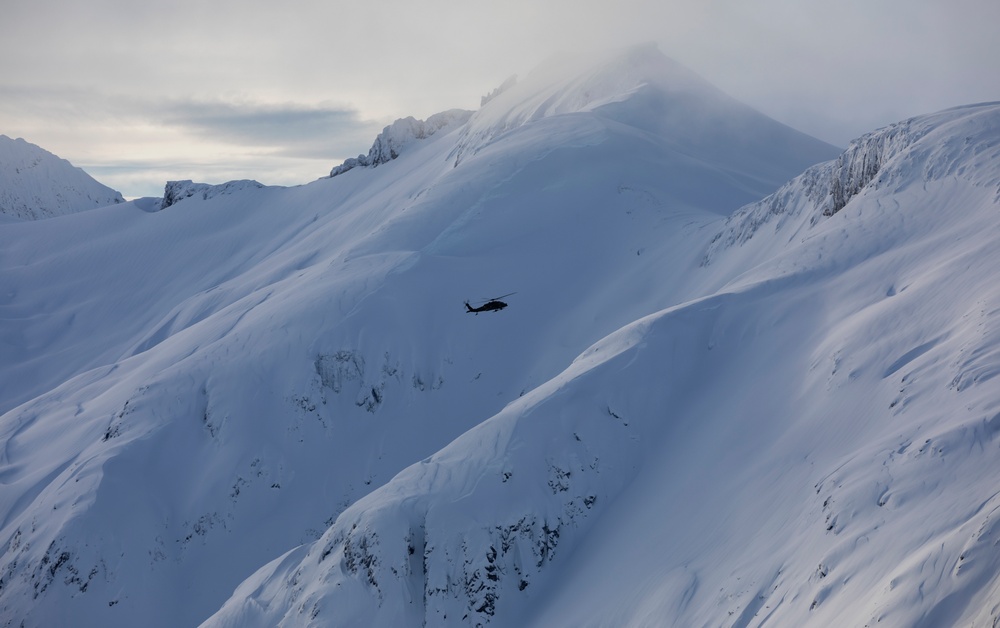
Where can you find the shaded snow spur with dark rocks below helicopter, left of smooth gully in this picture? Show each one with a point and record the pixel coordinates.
(472, 532)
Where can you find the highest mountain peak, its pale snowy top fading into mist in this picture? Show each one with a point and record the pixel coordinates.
(642, 89)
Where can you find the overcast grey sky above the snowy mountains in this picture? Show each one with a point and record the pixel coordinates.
(138, 93)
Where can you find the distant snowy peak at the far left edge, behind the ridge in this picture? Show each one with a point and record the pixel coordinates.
(35, 184)
